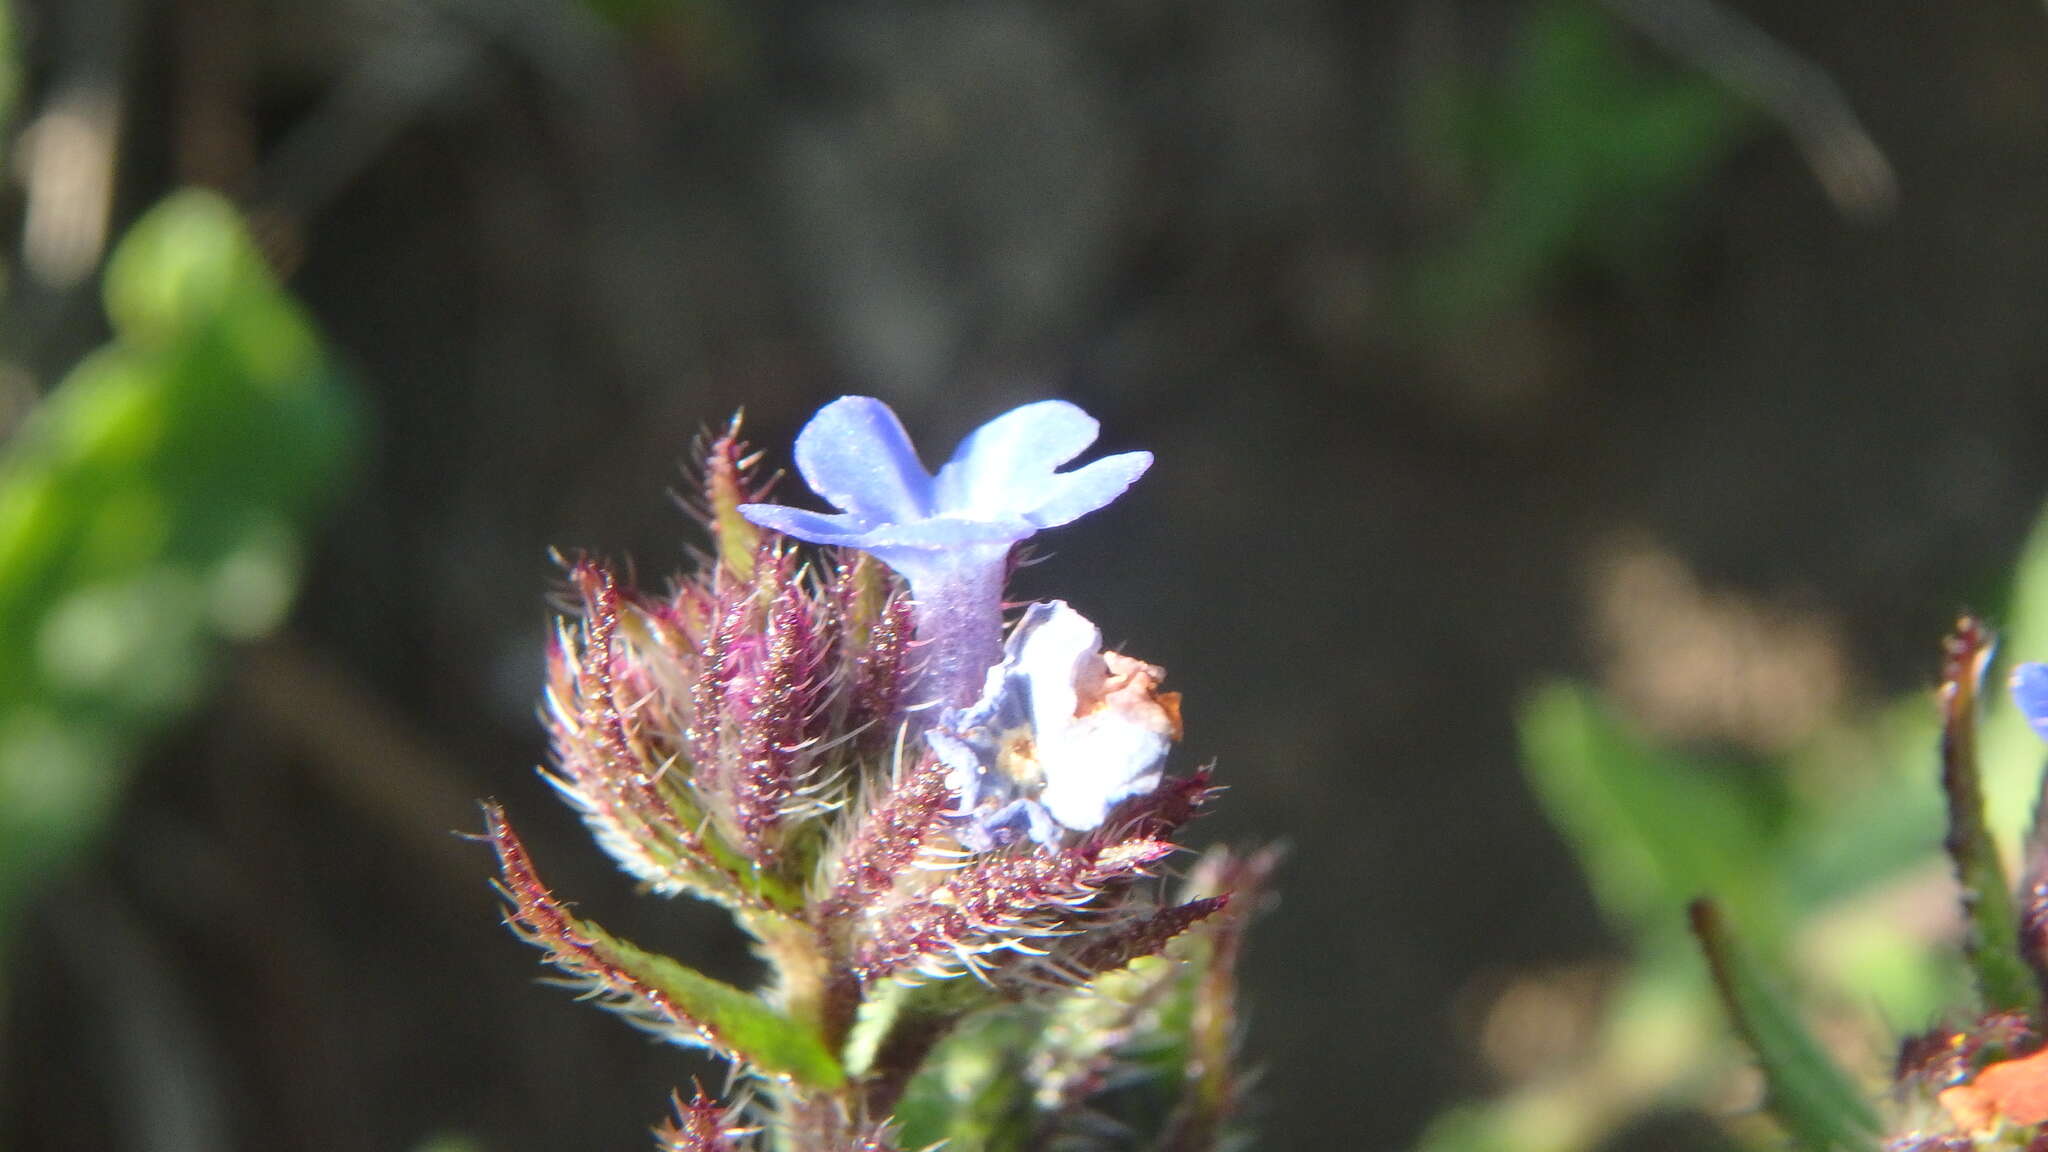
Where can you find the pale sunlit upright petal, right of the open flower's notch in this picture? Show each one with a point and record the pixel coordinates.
(1005, 464)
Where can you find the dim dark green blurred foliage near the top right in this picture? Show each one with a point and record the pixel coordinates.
(1580, 157)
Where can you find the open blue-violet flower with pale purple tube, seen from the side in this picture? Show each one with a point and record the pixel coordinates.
(949, 536)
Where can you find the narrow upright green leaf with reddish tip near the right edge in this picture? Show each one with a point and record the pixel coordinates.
(1988, 899)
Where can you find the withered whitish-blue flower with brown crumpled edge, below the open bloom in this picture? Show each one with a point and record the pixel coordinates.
(1062, 733)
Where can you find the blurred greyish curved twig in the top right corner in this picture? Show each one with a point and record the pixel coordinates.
(1793, 89)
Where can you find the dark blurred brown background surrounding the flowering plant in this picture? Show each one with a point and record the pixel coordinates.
(1689, 345)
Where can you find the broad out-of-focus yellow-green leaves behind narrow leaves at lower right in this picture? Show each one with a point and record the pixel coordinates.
(1826, 860)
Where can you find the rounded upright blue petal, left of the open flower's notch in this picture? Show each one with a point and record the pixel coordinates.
(857, 456)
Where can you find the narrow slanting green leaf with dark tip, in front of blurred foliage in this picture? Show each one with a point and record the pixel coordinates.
(1811, 1096)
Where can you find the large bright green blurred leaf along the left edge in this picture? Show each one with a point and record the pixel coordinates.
(153, 505)
